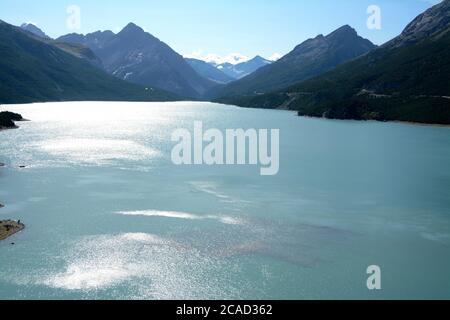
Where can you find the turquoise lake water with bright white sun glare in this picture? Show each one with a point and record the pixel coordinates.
(109, 216)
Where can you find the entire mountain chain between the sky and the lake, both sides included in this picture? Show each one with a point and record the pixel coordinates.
(340, 75)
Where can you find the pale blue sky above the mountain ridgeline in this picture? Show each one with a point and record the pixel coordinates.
(248, 27)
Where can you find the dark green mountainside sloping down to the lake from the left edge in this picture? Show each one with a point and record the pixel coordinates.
(36, 70)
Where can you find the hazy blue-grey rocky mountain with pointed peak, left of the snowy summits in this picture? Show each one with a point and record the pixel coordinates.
(137, 56)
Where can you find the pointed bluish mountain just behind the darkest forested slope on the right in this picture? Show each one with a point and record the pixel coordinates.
(309, 59)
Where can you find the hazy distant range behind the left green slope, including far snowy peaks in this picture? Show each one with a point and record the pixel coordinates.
(136, 56)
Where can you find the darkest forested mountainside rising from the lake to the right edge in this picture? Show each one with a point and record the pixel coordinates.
(407, 79)
